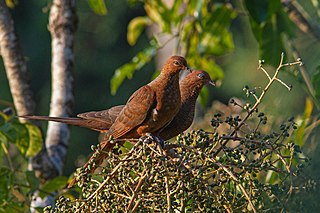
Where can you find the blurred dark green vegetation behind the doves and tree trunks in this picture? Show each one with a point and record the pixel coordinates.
(225, 38)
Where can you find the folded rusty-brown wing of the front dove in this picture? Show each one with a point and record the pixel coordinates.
(139, 105)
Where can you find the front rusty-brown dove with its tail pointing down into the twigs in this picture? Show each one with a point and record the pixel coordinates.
(148, 110)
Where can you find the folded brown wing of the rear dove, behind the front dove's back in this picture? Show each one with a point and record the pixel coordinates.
(106, 116)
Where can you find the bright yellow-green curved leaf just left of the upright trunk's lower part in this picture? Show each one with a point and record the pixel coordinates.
(35, 140)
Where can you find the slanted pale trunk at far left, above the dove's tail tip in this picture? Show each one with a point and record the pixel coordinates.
(15, 64)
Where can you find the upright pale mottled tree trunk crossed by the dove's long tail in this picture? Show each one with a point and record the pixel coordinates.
(62, 26)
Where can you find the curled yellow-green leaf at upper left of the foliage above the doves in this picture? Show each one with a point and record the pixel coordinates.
(135, 28)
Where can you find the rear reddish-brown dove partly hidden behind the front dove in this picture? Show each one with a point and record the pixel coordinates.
(101, 121)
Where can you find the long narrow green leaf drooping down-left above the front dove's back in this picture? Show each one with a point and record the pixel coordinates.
(127, 70)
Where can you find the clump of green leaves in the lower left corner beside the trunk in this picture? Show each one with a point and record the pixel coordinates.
(17, 184)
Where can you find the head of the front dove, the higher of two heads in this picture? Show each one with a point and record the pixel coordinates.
(175, 64)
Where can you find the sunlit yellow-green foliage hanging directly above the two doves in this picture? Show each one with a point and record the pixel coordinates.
(201, 30)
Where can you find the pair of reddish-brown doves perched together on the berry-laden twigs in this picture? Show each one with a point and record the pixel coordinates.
(163, 108)
